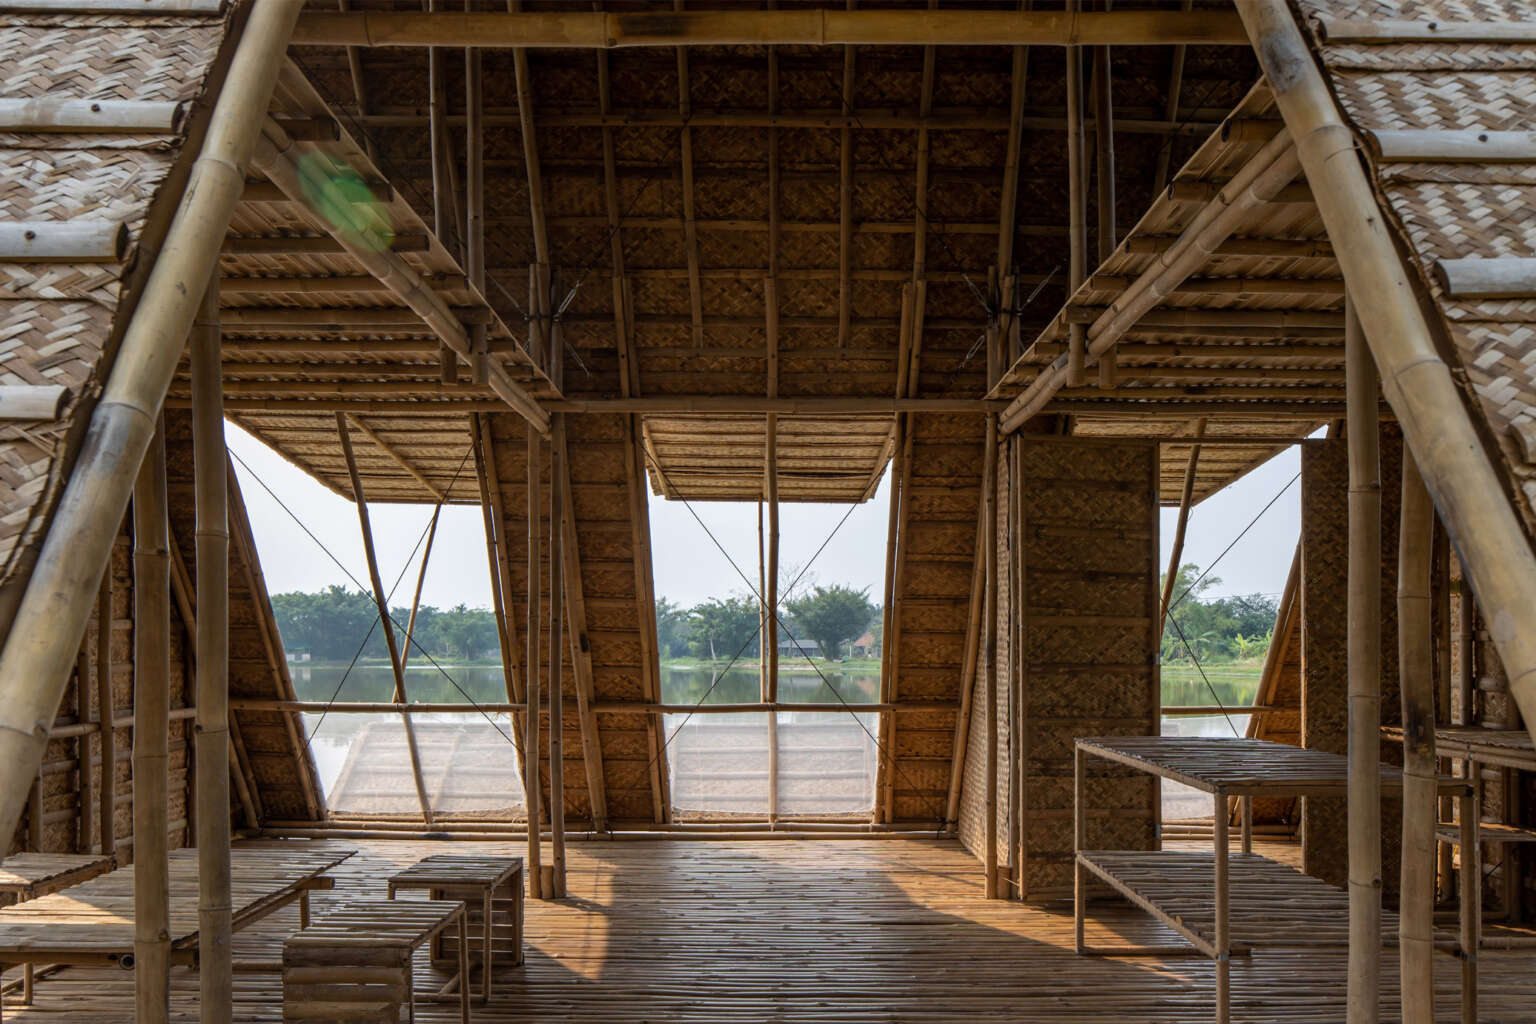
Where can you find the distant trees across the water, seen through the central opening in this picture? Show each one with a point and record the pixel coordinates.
(724, 629)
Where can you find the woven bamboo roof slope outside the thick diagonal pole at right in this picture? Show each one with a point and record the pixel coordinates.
(1458, 210)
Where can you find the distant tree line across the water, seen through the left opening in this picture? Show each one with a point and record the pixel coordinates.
(331, 626)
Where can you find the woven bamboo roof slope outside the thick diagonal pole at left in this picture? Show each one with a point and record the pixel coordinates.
(58, 320)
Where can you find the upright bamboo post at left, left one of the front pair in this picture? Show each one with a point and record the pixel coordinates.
(151, 739)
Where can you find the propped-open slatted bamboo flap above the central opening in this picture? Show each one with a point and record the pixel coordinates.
(723, 458)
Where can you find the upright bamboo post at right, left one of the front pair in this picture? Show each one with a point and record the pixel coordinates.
(1365, 676)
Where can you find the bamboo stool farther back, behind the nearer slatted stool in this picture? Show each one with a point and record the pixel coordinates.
(491, 890)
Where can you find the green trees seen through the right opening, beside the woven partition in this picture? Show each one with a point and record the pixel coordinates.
(1219, 629)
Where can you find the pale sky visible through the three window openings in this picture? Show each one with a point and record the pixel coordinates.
(687, 563)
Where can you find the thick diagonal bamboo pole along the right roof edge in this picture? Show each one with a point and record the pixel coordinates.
(1417, 382)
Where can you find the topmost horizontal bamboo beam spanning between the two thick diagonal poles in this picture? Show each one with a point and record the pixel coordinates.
(772, 28)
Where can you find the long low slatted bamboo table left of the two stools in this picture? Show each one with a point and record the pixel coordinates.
(93, 922)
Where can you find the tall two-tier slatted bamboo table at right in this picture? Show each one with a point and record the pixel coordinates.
(1168, 885)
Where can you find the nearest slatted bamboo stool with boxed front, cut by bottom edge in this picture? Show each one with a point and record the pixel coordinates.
(354, 963)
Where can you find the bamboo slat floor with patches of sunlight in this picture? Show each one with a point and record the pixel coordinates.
(844, 931)
